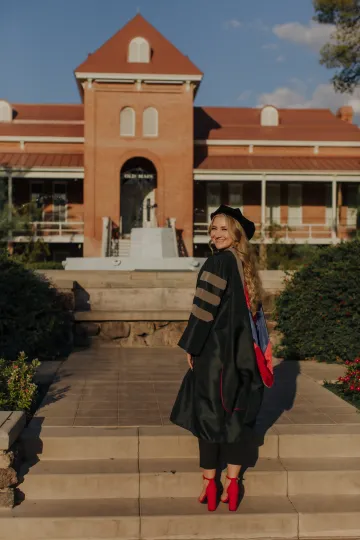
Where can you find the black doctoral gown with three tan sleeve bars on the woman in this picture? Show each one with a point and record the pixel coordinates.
(219, 399)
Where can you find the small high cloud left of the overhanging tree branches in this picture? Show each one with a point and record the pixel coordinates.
(313, 35)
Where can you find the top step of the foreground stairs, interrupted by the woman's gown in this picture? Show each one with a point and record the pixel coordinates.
(284, 441)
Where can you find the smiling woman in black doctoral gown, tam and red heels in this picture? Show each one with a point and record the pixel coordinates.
(228, 352)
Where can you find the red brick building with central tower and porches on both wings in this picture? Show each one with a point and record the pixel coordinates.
(138, 152)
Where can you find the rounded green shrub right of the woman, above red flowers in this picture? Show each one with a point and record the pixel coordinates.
(318, 312)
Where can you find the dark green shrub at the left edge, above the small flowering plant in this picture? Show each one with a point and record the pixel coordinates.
(34, 316)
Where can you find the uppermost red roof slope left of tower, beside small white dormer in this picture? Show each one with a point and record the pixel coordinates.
(48, 112)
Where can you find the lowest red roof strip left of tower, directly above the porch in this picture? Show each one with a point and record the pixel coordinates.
(29, 161)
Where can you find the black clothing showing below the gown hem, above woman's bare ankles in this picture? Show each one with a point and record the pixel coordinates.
(213, 454)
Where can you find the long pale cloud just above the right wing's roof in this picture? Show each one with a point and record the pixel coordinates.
(323, 97)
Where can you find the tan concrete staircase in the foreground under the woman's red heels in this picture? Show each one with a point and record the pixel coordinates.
(130, 483)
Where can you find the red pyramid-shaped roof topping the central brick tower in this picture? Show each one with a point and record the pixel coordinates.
(112, 56)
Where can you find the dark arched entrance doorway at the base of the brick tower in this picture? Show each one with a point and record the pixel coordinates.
(138, 180)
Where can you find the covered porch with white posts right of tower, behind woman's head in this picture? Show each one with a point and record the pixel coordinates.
(291, 207)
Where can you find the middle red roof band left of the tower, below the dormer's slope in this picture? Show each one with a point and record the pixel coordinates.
(41, 130)
